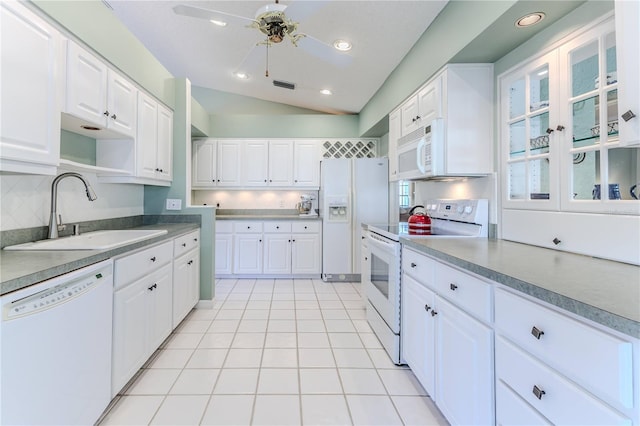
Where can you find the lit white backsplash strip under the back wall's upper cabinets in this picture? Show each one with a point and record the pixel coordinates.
(263, 199)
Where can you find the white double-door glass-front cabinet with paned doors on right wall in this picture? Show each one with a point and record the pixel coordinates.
(559, 131)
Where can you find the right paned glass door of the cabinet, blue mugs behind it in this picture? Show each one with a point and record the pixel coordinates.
(598, 169)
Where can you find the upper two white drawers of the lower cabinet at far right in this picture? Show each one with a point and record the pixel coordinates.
(563, 368)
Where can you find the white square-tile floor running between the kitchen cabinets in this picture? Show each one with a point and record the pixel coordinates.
(275, 352)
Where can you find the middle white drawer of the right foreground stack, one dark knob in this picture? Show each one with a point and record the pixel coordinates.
(562, 402)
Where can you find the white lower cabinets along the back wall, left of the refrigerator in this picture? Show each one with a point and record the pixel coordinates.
(274, 248)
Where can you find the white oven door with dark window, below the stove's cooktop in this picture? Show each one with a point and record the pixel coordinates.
(383, 283)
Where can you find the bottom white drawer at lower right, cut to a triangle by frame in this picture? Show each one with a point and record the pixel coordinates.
(513, 410)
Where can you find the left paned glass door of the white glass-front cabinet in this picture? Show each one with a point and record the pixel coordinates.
(527, 102)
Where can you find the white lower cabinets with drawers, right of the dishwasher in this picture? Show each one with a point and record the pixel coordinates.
(154, 288)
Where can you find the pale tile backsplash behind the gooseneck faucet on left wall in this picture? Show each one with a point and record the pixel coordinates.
(25, 200)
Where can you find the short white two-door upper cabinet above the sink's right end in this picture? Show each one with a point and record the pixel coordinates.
(98, 95)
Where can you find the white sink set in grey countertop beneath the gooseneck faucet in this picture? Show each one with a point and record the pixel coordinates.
(97, 240)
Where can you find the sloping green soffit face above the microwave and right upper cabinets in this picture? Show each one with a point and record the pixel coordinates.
(456, 26)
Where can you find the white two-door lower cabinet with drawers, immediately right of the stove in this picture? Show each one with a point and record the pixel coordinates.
(450, 351)
